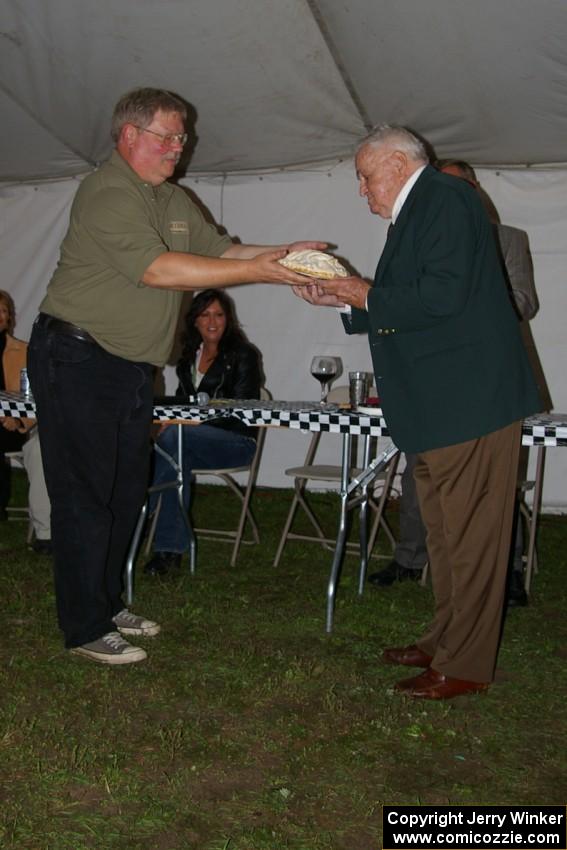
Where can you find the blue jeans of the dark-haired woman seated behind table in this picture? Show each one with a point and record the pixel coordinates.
(204, 447)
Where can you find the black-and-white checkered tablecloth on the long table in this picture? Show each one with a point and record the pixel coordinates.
(540, 430)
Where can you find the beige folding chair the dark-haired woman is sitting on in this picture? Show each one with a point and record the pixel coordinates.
(242, 492)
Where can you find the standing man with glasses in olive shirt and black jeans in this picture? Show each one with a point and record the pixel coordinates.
(135, 243)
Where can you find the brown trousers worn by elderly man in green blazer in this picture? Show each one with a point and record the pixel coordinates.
(466, 494)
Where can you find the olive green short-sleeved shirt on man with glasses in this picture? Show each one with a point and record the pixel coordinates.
(118, 226)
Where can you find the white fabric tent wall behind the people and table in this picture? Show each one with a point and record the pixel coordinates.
(317, 202)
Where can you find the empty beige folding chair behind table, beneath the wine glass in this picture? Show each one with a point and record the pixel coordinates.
(331, 475)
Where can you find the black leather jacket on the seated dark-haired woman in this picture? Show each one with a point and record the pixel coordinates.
(234, 373)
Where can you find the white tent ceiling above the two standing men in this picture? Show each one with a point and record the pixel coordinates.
(283, 82)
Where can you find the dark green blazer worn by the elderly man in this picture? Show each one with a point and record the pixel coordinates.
(448, 358)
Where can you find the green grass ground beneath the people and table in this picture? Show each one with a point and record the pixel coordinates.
(248, 727)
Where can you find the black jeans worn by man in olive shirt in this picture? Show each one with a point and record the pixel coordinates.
(94, 414)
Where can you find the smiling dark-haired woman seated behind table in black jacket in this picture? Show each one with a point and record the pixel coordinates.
(216, 359)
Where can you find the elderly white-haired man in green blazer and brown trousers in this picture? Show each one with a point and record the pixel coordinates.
(455, 383)
